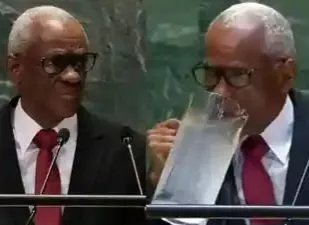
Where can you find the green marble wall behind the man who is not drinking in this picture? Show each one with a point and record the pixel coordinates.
(116, 30)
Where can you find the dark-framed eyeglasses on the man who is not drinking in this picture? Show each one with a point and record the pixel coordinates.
(57, 63)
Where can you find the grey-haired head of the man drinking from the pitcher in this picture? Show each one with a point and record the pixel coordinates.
(250, 58)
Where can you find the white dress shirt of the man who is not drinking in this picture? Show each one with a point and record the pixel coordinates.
(24, 130)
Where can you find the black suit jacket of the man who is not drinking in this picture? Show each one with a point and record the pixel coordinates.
(101, 166)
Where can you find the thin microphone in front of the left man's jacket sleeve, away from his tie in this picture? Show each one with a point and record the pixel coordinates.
(126, 138)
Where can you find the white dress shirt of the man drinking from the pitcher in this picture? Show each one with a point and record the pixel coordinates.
(278, 136)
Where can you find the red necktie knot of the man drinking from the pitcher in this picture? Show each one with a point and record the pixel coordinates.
(254, 147)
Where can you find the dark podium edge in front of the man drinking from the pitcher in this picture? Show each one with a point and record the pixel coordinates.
(227, 211)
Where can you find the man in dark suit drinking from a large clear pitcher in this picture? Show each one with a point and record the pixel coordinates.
(250, 57)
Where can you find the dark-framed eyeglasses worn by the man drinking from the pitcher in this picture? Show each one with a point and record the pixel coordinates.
(210, 76)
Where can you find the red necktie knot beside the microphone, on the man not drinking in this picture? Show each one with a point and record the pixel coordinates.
(46, 139)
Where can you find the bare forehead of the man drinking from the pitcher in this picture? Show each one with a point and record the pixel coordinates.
(241, 42)
